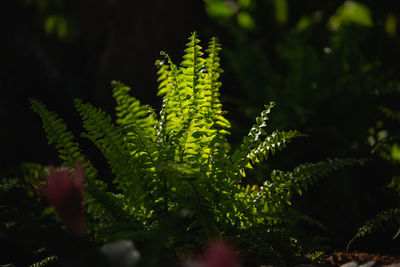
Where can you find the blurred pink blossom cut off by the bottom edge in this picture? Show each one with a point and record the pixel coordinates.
(220, 254)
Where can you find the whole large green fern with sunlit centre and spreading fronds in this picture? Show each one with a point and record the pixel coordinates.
(180, 160)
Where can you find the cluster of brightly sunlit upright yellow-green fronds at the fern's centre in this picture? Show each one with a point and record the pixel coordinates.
(191, 115)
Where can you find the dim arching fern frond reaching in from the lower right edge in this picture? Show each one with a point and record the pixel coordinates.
(381, 221)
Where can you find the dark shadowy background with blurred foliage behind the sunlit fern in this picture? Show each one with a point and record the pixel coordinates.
(328, 71)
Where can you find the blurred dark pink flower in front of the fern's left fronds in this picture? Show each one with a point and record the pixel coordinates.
(66, 194)
